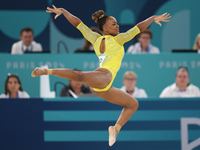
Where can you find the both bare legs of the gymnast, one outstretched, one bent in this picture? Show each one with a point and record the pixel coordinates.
(99, 78)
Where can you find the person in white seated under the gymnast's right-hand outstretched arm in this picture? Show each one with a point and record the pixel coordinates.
(143, 45)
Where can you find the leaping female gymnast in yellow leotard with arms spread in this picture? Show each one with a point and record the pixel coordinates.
(109, 48)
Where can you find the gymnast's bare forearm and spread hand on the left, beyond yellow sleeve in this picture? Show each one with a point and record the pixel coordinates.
(75, 21)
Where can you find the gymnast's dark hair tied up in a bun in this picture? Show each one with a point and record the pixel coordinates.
(100, 18)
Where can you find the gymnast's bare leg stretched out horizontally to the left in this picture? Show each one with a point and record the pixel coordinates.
(98, 78)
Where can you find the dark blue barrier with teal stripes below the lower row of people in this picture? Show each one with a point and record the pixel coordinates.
(67, 123)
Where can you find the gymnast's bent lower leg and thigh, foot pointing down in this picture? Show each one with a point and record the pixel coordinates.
(116, 96)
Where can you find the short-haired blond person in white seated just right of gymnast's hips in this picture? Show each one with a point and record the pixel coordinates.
(129, 80)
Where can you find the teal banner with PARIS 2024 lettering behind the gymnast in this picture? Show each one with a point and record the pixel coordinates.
(155, 72)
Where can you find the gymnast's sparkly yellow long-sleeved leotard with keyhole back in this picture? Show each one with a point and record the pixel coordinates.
(114, 50)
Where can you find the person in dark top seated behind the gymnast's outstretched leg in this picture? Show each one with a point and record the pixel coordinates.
(73, 87)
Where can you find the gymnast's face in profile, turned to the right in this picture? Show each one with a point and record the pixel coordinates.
(111, 27)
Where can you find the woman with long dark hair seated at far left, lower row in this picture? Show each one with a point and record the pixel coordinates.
(13, 88)
